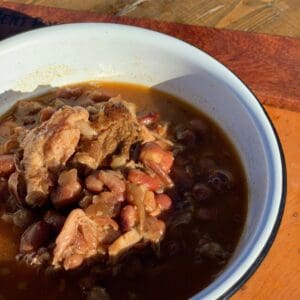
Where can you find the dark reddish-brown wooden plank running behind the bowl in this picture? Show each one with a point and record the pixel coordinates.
(269, 65)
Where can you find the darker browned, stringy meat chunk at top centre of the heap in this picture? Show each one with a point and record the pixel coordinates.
(117, 130)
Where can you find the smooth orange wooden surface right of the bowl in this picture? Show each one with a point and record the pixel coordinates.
(279, 275)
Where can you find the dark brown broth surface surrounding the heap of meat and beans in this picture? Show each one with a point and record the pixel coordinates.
(170, 271)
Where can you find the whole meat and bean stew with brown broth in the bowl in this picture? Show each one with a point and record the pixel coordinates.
(115, 191)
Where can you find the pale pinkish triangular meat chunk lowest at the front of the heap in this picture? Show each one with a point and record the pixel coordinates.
(81, 238)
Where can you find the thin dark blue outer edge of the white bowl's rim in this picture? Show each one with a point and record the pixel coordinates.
(232, 290)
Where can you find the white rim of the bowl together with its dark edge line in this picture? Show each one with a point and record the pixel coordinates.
(13, 40)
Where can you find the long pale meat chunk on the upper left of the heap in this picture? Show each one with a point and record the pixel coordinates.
(48, 147)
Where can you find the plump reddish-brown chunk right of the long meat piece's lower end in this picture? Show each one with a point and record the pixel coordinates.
(69, 189)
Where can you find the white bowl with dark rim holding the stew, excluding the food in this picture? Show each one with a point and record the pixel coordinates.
(66, 54)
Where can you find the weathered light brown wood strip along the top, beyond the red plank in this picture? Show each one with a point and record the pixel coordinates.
(265, 16)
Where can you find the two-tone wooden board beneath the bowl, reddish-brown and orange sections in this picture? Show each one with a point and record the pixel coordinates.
(270, 66)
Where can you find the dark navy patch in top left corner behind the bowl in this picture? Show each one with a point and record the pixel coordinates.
(13, 22)
